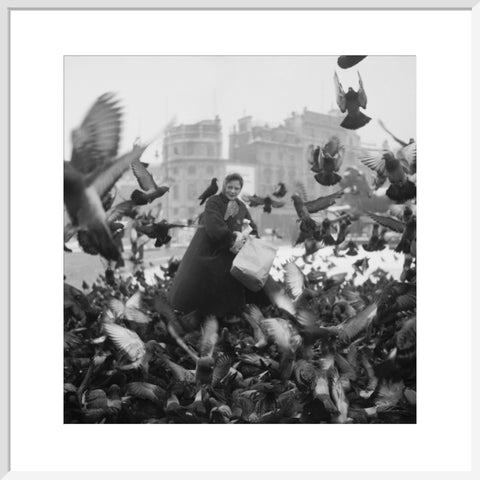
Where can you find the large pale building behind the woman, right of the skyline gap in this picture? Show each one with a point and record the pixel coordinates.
(279, 154)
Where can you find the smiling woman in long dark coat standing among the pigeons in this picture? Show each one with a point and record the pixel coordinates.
(203, 282)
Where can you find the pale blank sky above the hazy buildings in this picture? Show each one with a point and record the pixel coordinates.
(156, 90)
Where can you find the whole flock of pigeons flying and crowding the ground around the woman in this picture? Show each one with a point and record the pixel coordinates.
(324, 351)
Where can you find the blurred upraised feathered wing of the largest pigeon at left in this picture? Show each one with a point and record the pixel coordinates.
(97, 139)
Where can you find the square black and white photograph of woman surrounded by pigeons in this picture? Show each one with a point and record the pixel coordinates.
(240, 239)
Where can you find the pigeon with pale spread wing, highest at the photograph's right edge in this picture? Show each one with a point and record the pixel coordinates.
(396, 169)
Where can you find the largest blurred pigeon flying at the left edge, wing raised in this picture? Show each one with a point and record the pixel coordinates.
(93, 170)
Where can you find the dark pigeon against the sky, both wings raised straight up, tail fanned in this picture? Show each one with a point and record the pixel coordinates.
(351, 102)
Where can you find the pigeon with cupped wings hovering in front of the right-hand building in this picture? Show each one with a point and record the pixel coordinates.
(326, 161)
